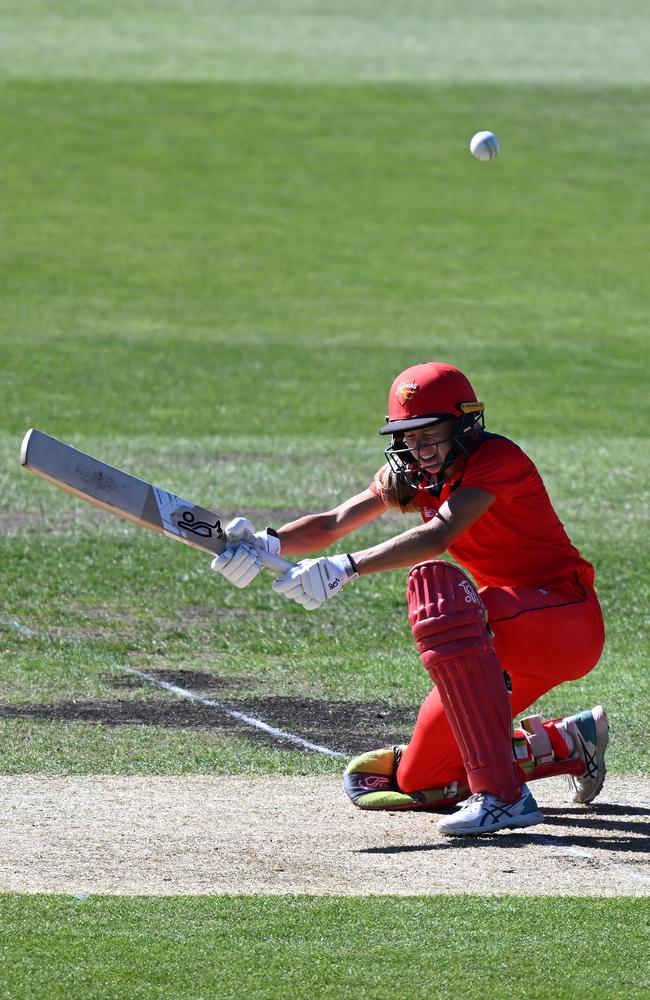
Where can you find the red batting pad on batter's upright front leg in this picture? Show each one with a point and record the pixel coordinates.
(448, 624)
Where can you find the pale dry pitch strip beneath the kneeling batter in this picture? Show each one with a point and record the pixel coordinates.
(278, 835)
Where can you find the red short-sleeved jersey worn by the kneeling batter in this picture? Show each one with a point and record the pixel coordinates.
(519, 541)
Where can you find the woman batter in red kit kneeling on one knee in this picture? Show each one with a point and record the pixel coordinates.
(526, 619)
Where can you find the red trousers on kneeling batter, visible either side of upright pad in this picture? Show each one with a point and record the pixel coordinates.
(542, 638)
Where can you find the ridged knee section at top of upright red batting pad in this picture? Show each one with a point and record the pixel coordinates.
(446, 614)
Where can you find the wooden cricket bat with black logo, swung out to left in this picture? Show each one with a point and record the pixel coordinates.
(125, 496)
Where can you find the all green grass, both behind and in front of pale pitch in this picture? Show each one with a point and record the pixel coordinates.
(224, 230)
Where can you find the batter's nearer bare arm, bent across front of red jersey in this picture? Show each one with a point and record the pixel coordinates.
(426, 541)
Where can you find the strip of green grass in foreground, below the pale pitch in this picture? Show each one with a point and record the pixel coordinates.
(331, 948)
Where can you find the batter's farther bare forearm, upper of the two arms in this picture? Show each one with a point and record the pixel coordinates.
(317, 531)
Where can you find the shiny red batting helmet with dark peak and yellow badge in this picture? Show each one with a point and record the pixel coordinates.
(427, 393)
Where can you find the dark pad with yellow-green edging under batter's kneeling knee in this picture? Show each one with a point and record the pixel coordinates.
(370, 781)
